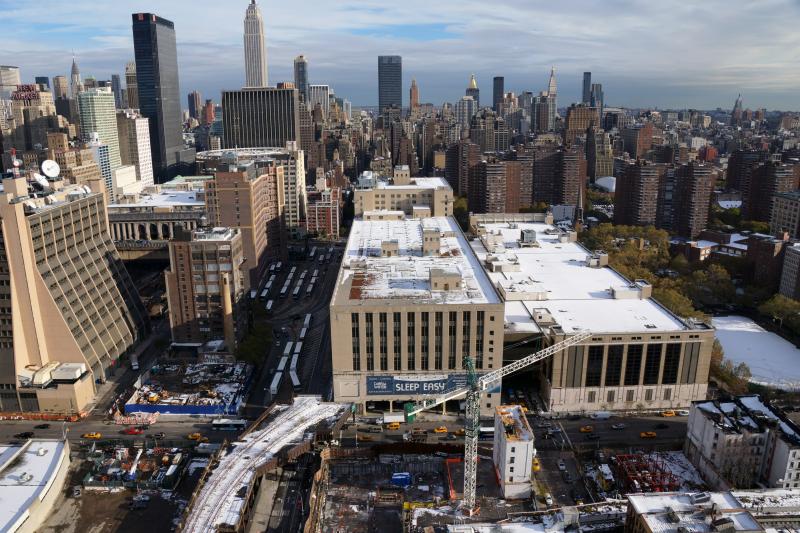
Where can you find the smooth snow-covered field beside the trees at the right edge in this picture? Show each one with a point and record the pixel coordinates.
(772, 360)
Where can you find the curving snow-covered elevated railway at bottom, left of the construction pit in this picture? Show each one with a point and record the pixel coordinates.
(219, 501)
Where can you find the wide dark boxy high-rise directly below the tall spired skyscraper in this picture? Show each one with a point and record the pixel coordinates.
(260, 116)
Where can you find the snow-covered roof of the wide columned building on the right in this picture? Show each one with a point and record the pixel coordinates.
(578, 297)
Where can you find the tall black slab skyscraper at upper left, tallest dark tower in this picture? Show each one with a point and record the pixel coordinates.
(158, 92)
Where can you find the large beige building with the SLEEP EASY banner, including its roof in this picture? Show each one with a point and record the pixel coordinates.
(410, 303)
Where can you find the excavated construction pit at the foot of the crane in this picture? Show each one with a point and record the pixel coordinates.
(402, 487)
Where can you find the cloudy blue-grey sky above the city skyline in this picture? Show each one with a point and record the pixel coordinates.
(666, 53)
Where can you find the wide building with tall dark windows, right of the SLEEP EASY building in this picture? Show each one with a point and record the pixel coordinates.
(640, 355)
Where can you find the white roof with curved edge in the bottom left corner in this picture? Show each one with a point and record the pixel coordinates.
(27, 472)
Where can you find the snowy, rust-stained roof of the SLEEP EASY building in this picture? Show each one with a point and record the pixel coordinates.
(406, 274)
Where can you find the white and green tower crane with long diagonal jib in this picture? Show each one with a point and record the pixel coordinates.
(473, 389)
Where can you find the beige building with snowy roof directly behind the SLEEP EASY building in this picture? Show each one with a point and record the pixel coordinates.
(413, 196)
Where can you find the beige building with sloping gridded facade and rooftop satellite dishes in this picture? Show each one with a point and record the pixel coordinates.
(68, 308)
